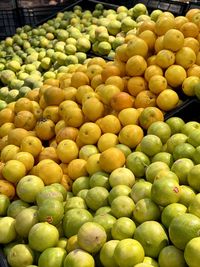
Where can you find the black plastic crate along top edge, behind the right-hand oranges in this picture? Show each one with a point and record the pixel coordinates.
(176, 7)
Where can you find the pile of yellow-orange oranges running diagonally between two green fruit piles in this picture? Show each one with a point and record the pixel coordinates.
(88, 119)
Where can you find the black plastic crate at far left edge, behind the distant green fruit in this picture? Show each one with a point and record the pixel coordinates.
(9, 21)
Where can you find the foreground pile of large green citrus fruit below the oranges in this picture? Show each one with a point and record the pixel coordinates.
(143, 214)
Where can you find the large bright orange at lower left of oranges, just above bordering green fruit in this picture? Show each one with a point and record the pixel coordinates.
(49, 171)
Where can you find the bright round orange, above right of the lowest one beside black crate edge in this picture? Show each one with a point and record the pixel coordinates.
(175, 75)
